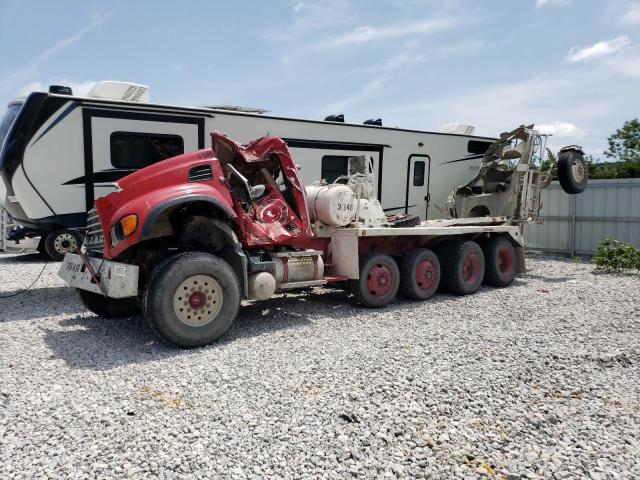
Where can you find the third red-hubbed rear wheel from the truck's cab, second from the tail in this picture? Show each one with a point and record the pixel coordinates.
(464, 268)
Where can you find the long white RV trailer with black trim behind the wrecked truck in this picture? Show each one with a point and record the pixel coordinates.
(61, 152)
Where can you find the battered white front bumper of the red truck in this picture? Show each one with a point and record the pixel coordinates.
(113, 279)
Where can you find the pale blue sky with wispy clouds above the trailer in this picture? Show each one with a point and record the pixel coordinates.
(571, 66)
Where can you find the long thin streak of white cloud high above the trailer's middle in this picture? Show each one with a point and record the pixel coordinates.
(367, 33)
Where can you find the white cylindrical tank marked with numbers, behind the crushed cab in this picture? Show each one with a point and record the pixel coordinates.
(333, 204)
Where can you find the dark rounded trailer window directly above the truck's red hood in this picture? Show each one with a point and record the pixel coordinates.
(137, 150)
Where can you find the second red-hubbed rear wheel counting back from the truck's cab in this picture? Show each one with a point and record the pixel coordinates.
(419, 274)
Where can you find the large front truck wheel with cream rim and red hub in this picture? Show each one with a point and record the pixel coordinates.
(191, 299)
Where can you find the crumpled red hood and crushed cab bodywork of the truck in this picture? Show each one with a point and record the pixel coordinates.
(272, 220)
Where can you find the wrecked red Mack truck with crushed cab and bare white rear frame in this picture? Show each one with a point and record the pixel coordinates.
(187, 239)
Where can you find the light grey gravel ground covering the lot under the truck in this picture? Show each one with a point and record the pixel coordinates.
(540, 380)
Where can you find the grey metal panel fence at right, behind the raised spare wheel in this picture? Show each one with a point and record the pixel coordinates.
(574, 224)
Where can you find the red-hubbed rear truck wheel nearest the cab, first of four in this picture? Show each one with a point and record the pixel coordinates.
(379, 280)
